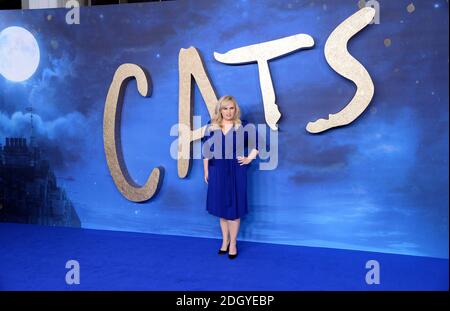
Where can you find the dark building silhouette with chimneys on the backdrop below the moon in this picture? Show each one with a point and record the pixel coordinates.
(29, 192)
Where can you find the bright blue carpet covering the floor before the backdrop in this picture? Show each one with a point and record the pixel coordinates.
(34, 257)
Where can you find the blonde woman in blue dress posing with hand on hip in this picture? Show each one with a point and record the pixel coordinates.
(225, 169)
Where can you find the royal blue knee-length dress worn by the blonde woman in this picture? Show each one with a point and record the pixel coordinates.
(227, 179)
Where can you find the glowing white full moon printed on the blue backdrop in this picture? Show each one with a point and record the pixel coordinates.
(19, 54)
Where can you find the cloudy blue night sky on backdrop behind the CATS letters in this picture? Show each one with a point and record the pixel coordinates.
(379, 184)
